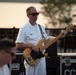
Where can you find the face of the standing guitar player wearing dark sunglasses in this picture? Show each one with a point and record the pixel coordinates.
(33, 14)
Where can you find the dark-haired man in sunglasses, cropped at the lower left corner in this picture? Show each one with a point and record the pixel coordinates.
(7, 54)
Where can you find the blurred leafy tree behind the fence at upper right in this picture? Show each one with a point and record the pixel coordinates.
(57, 11)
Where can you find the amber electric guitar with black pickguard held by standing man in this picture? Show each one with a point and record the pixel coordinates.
(33, 58)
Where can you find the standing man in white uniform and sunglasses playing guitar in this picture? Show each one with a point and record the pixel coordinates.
(28, 37)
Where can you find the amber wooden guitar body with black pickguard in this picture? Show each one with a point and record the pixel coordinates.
(32, 57)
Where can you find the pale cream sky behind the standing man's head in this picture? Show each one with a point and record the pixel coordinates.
(14, 14)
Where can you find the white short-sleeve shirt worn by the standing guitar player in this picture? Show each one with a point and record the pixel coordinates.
(30, 34)
